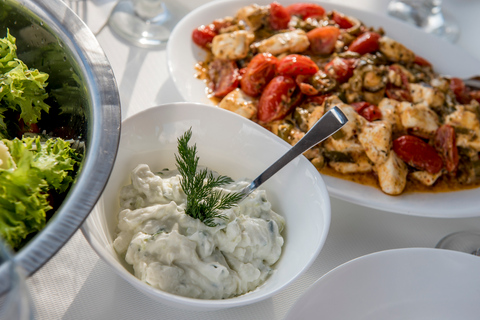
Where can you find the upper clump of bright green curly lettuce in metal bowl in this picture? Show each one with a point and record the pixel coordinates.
(21, 89)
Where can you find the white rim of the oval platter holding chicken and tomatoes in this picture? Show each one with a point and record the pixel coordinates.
(412, 203)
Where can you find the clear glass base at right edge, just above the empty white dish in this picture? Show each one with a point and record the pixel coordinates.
(464, 241)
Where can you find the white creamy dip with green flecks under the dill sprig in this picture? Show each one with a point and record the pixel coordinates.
(176, 253)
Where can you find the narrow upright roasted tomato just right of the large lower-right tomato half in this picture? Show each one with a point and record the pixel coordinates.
(446, 144)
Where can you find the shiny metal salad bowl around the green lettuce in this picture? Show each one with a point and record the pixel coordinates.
(52, 39)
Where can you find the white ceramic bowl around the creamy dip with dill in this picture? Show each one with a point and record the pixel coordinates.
(232, 146)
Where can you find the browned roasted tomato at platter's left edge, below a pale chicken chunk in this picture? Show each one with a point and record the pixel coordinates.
(224, 77)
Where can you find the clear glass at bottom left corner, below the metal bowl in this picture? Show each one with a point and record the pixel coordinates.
(15, 300)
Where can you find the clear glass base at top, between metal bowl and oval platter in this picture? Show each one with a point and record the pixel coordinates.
(144, 23)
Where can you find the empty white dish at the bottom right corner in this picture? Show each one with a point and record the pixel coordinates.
(410, 283)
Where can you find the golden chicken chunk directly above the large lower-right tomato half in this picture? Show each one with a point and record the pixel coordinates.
(418, 117)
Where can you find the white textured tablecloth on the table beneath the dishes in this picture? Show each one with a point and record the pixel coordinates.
(77, 284)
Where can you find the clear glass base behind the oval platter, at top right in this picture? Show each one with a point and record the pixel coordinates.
(427, 15)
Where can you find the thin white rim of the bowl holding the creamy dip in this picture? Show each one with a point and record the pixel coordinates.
(211, 304)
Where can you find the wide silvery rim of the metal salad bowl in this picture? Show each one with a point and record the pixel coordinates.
(104, 125)
